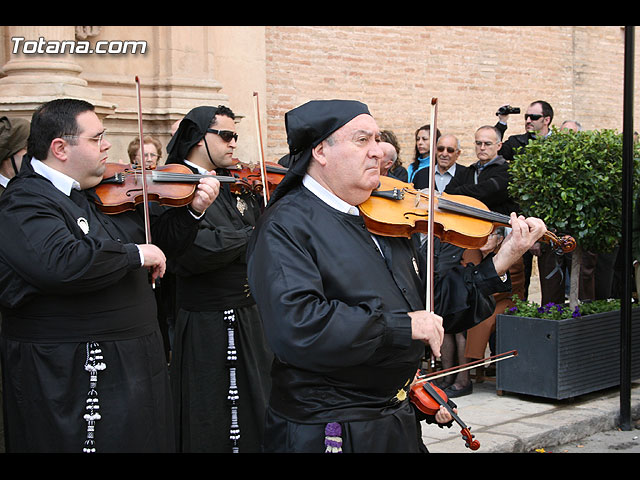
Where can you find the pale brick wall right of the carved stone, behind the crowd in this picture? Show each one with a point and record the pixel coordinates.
(472, 70)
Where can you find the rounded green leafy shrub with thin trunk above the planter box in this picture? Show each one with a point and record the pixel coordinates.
(573, 182)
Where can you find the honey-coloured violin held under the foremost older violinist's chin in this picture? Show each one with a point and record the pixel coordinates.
(397, 209)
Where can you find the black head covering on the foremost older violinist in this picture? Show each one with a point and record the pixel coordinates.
(307, 126)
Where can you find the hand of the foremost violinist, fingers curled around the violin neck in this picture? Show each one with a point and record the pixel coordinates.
(525, 232)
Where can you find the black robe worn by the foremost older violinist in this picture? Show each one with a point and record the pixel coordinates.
(335, 315)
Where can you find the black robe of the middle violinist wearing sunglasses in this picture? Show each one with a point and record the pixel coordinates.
(211, 282)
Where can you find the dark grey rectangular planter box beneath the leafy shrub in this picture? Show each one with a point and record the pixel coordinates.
(561, 359)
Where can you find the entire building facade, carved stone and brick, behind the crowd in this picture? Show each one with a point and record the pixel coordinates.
(396, 70)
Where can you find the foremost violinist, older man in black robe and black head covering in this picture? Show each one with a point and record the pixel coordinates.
(344, 310)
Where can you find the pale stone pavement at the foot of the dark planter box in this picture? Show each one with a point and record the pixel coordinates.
(514, 423)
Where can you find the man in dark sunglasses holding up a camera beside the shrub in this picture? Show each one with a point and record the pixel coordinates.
(537, 123)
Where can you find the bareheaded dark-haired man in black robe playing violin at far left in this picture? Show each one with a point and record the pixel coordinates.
(82, 356)
